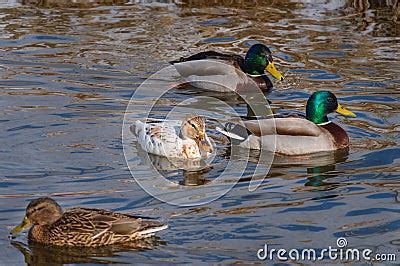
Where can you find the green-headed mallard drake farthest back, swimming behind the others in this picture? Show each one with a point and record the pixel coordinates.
(231, 71)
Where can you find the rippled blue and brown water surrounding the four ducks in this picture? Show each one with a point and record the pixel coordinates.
(68, 72)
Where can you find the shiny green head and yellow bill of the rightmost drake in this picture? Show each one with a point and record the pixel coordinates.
(322, 103)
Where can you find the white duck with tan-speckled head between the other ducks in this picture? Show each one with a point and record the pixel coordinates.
(185, 139)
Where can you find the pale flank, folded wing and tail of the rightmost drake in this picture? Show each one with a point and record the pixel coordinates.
(287, 134)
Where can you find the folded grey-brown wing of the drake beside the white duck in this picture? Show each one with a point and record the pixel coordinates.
(292, 126)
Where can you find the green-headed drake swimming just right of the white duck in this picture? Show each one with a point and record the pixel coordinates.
(294, 134)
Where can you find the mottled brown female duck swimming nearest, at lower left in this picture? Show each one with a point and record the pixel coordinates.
(82, 226)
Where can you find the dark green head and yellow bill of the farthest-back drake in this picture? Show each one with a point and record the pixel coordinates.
(258, 60)
